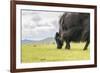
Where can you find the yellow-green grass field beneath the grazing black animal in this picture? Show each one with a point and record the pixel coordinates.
(49, 52)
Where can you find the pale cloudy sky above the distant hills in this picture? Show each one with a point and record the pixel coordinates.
(39, 25)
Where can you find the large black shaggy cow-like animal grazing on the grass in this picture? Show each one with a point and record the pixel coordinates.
(73, 27)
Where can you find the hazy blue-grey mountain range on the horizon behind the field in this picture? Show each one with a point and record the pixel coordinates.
(47, 40)
